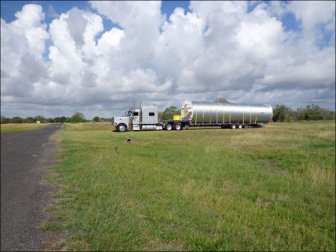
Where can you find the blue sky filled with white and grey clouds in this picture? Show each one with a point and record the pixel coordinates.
(100, 58)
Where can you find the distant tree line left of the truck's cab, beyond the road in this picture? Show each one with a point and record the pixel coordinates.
(75, 118)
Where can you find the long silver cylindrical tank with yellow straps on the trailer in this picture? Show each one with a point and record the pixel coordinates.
(200, 112)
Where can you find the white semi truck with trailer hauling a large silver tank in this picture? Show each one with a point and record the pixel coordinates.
(196, 114)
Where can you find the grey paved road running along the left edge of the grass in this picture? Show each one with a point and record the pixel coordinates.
(23, 196)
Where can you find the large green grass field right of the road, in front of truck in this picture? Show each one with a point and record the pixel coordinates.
(271, 188)
